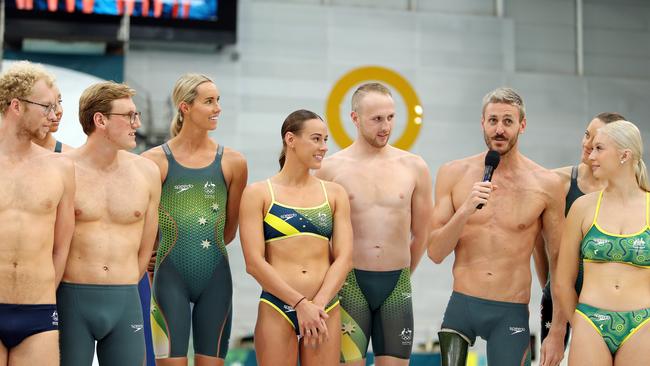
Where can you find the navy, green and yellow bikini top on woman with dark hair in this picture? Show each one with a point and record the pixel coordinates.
(282, 221)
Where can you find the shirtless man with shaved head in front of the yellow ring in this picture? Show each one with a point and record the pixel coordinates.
(390, 197)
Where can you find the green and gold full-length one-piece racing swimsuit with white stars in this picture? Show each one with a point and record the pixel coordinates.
(192, 263)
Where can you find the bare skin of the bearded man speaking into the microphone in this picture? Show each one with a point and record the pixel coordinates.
(492, 246)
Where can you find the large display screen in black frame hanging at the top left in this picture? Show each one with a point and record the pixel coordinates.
(194, 21)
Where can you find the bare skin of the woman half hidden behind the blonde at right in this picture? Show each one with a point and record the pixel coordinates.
(587, 184)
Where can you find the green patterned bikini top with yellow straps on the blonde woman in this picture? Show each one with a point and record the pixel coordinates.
(600, 246)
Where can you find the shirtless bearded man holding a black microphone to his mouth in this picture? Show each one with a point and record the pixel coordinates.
(493, 245)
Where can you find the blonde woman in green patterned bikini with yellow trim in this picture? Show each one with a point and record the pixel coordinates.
(610, 231)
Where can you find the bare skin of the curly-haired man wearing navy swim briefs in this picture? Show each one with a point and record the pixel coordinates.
(36, 219)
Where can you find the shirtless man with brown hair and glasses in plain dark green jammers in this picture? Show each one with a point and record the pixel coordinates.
(116, 210)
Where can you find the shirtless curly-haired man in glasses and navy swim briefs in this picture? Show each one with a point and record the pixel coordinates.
(36, 218)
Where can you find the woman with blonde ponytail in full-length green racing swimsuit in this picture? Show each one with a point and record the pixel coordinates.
(202, 187)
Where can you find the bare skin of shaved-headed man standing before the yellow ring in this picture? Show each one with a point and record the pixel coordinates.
(382, 182)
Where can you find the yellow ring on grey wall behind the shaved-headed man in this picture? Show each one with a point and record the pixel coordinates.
(370, 73)
